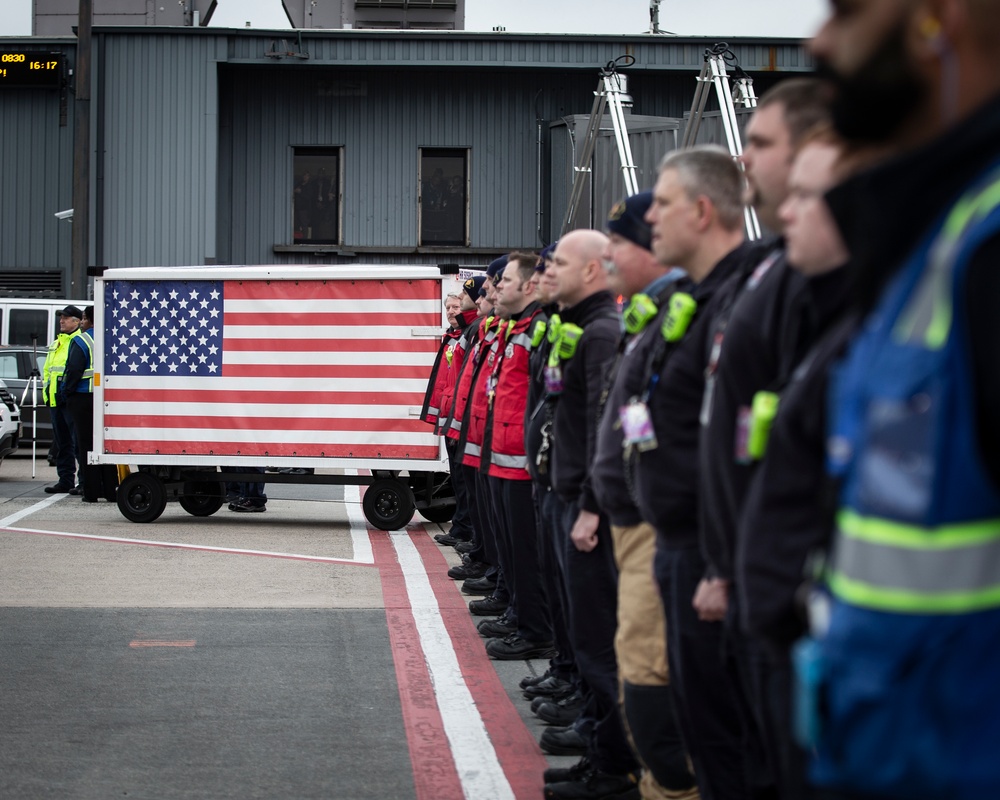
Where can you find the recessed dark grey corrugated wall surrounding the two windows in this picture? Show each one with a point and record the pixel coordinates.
(267, 113)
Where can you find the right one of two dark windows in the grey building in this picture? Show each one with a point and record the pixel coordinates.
(444, 196)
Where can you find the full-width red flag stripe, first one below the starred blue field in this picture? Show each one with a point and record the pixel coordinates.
(278, 396)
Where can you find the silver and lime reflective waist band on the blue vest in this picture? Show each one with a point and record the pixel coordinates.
(897, 567)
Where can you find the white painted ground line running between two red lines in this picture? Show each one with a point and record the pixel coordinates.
(476, 760)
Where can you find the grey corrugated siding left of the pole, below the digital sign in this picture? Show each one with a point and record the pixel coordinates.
(36, 164)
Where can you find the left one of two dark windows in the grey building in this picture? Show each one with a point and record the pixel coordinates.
(316, 195)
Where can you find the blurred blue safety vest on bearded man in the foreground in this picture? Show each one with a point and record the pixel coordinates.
(912, 655)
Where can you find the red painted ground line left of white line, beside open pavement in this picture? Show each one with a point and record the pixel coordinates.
(435, 776)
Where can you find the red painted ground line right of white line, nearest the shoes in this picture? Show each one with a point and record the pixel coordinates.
(519, 754)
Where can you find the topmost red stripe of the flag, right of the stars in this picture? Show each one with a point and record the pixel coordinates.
(391, 291)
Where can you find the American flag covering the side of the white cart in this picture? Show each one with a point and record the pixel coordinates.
(304, 368)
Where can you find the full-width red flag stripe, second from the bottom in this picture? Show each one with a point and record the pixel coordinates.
(410, 425)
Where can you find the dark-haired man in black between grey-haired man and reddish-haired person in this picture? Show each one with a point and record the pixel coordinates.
(763, 330)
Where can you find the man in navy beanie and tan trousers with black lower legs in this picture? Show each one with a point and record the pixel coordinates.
(640, 639)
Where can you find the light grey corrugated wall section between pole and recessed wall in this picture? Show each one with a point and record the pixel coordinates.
(159, 148)
